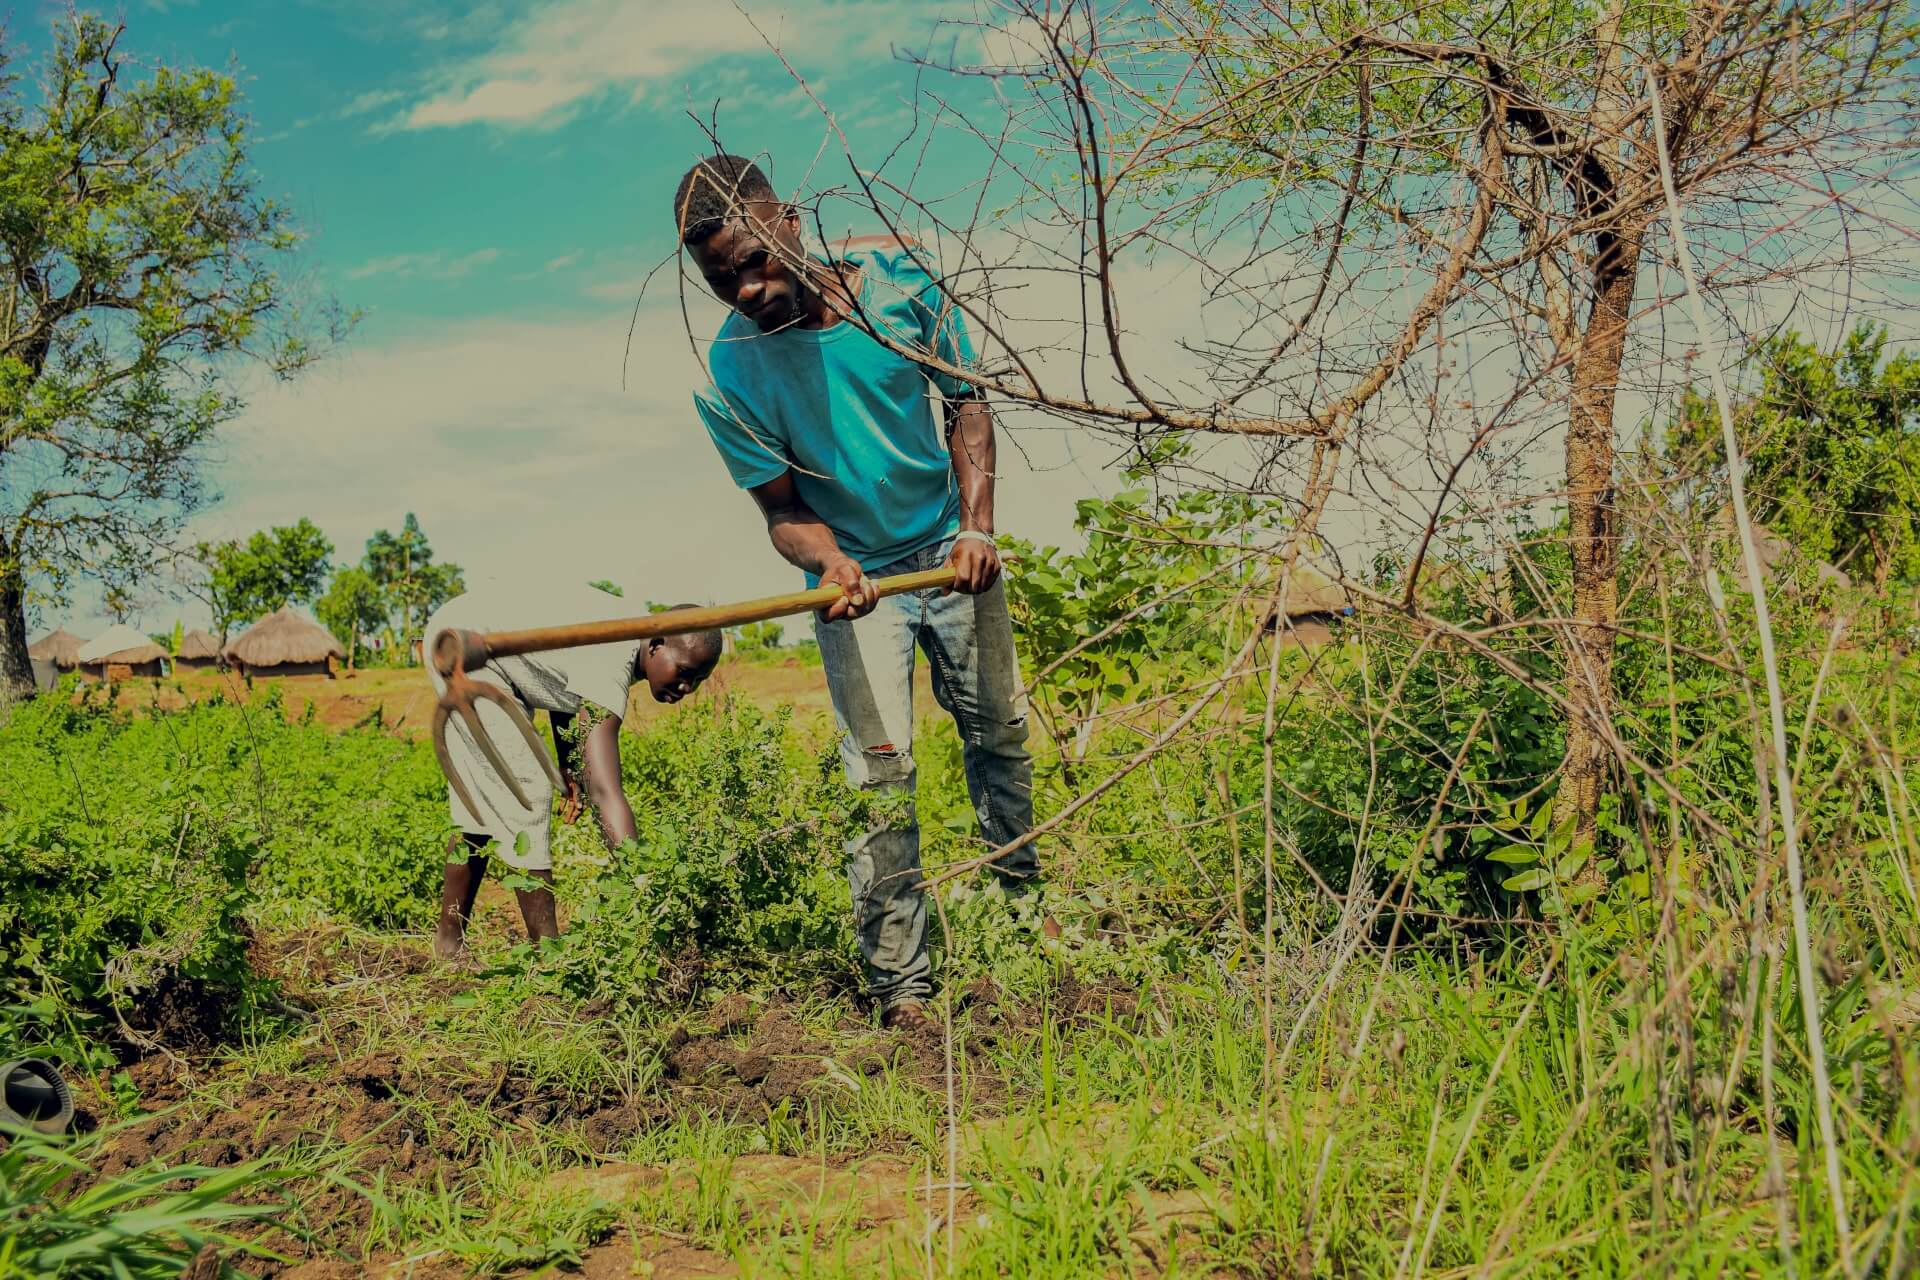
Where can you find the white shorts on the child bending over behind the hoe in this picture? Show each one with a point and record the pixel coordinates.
(523, 834)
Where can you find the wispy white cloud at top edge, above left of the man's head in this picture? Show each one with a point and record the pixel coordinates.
(569, 53)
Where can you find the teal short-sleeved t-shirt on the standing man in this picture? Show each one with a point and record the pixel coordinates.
(855, 423)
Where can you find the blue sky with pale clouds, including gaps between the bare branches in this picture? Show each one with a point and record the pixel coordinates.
(491, 185)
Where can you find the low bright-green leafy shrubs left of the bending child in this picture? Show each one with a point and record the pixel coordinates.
(132, 847)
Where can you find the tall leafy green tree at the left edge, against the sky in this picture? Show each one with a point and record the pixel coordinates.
(137, 264)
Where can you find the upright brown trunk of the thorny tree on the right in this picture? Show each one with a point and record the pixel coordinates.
(1595, 542)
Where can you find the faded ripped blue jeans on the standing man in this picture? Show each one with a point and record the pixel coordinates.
(871, 675)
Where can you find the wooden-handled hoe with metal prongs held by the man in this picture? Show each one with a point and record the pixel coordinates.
(458, 653)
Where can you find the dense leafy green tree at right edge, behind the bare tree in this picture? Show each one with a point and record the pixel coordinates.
(1835, 450)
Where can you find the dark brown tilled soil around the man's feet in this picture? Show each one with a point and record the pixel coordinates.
(740, 1060)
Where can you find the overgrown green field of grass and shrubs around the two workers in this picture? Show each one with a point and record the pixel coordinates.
(226, 907)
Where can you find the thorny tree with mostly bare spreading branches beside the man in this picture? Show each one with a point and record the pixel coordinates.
(1366, 193)
